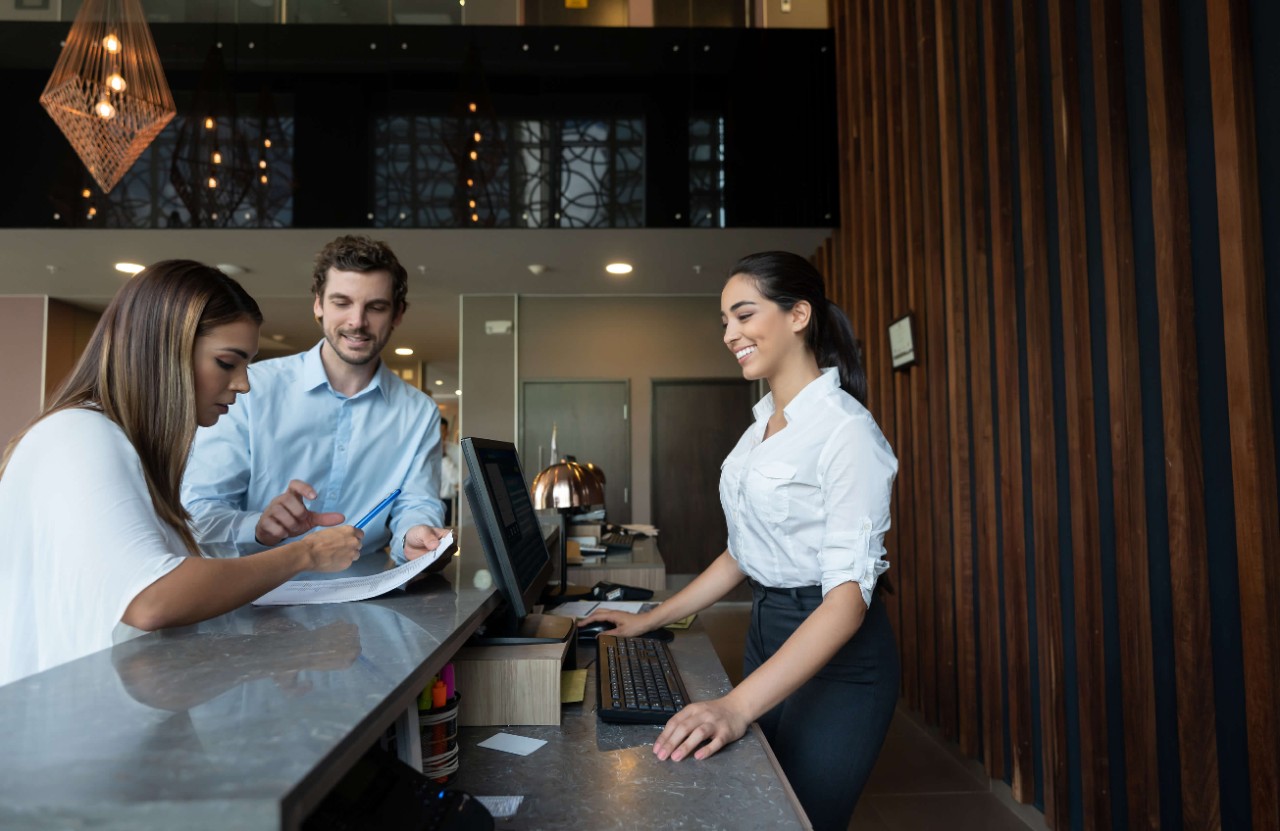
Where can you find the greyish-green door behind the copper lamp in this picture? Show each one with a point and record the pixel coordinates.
(593, 426)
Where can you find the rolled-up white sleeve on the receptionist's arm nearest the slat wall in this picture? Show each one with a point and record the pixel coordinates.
(857, 471)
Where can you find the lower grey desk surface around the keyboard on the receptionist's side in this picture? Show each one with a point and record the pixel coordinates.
(605, 777)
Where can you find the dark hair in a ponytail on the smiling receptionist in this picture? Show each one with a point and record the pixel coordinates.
(787, 280)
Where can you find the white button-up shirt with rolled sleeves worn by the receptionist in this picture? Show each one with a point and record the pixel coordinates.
(810, 506)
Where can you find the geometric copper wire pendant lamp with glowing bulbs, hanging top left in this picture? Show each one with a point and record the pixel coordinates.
(108, 93)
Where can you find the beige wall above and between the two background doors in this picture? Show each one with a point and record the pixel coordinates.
(634, 339)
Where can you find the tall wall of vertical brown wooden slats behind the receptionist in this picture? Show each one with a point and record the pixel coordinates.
(1017, 175)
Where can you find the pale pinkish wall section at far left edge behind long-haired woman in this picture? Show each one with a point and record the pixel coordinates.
(22, 343)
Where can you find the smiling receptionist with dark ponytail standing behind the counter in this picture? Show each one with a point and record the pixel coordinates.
(807, 501)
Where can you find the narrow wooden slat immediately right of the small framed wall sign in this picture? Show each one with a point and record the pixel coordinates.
(931, 349)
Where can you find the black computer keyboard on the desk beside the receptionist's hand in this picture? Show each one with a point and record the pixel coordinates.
(638, 681)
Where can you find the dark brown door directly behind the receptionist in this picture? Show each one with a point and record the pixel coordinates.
(696, 426)
